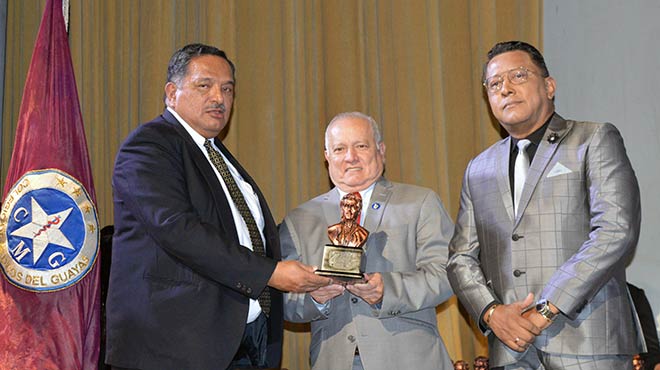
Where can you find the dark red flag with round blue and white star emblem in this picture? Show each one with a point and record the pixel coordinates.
(49, 237)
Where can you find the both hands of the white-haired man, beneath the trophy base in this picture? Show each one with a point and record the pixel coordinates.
(371, 290)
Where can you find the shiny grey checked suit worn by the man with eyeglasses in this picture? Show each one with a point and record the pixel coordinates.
(577, 226)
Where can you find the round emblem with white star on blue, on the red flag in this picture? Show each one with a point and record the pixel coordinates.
(48, 232)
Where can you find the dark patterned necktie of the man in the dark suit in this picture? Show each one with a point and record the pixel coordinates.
(244, 210)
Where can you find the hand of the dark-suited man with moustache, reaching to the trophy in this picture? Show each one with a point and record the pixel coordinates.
(295, 277)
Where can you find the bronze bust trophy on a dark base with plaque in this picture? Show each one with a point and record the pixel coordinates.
(343, 260)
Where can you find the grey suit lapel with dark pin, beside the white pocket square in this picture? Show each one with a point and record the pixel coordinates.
(553, 136)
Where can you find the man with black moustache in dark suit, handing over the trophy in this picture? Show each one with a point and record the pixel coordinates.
(196, 279)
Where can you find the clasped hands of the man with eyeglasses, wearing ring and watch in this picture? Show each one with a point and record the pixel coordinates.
(516, 325)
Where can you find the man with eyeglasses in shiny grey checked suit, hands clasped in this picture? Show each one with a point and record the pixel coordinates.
(549, 218)
